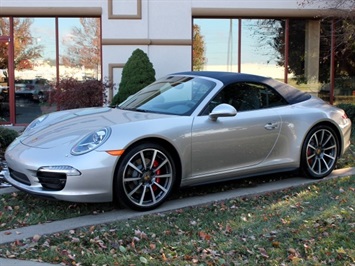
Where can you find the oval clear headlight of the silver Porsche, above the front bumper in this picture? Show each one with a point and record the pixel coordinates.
(91, 141)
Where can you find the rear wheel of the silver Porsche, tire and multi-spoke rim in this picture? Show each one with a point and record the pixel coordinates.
(319, 152)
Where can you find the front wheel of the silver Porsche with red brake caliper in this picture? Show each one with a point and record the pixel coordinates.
(145, 177)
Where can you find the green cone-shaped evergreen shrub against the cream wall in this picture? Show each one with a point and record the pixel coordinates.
(137, 73)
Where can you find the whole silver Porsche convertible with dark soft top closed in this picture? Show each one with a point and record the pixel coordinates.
(185, 129)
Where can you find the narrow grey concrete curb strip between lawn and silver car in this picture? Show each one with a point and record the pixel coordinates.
(9, 236)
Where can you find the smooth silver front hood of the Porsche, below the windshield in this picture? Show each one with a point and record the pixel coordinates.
(68, 127)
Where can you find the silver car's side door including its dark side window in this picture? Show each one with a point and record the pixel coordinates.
(232, 143)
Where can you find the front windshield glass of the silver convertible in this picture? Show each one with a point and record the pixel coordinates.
(177, 95)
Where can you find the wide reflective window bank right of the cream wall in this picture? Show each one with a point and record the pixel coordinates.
(296, 51)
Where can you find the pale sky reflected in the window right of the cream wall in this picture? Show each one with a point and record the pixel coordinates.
(221, 40)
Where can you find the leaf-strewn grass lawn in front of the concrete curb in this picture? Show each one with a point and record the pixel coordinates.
(310, 225)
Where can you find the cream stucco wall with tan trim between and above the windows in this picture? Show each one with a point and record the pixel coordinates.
(160, 28)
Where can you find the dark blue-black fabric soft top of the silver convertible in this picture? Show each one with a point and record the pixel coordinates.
(291, 94)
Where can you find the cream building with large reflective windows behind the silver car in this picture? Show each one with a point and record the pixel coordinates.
(42, 41)
